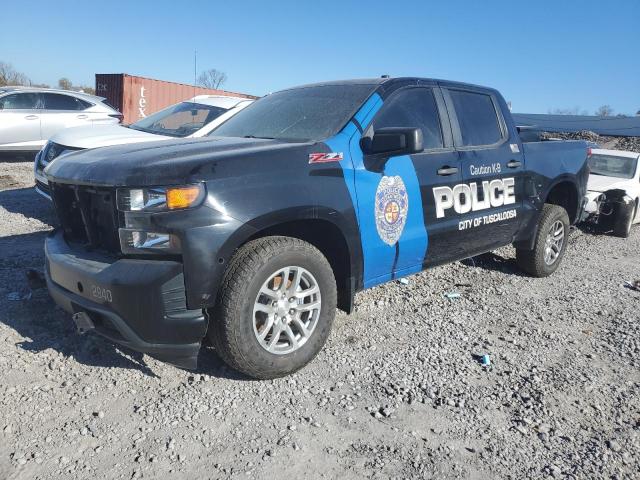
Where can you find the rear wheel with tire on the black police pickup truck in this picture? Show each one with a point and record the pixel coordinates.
(536, 262)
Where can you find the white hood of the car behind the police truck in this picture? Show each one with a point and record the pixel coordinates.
(103, 136)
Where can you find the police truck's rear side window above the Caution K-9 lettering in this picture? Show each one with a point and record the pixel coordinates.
(477, 118)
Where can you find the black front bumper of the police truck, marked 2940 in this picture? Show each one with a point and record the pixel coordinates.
(140, 304)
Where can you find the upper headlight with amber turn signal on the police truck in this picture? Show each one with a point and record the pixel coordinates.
(160, 199)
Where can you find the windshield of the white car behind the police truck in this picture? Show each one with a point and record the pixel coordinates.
(179, 120)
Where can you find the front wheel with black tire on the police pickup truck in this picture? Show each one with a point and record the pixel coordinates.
(238, 320)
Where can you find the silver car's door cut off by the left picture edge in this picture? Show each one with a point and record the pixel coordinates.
(20, 121)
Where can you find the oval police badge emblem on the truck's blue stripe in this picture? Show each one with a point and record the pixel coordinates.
(392, 204)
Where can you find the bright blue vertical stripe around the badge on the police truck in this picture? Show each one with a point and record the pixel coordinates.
(382, 262)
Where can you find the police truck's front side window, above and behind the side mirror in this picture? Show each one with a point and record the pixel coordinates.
(413, 108)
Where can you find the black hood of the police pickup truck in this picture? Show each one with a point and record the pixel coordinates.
(168, 162)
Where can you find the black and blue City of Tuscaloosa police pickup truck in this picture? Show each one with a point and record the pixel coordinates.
(253, 236)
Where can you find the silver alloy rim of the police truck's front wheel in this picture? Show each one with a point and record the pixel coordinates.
(286, 310)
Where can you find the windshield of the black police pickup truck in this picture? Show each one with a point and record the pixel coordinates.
(298, 115)
